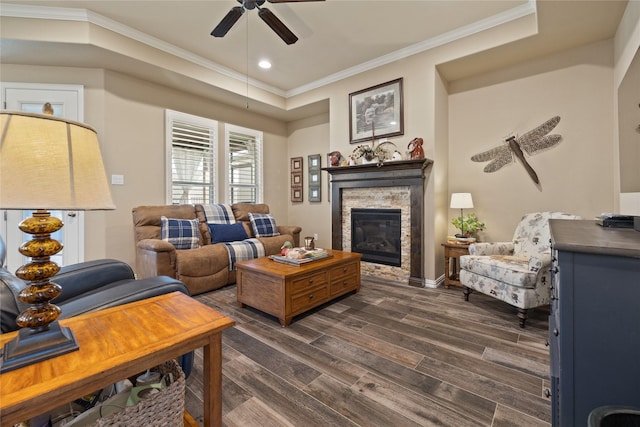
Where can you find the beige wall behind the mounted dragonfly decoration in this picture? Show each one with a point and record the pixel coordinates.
(575, 176)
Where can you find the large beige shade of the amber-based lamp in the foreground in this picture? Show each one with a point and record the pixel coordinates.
(50, 163)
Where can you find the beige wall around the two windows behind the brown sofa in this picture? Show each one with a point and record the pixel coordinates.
(128, 114)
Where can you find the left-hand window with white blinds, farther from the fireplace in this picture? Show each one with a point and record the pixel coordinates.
(191, 159)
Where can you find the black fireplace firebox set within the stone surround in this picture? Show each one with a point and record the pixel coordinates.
(375, 233)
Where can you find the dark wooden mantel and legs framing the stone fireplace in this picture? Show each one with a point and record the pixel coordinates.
(410, 173)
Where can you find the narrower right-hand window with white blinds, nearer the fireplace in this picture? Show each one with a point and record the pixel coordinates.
(244, 148)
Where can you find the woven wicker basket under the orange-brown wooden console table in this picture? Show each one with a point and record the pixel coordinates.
(159, 410)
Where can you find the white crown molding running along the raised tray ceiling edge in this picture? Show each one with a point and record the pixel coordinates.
(83, 15)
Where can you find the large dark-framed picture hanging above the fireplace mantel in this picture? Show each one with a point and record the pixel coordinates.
(376, 112)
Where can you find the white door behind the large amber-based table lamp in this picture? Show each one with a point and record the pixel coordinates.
(68, 102)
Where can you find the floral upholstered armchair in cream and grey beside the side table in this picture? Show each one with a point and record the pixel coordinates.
(515, 272)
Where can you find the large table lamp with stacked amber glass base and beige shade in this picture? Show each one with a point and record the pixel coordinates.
(45, 163)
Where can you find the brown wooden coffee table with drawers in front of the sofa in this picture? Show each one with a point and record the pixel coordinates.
(285, 291)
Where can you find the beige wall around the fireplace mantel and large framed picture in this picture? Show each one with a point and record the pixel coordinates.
(425, 116)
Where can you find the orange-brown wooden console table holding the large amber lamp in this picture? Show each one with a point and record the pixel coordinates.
(117, 343)
